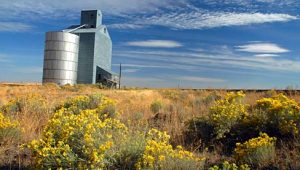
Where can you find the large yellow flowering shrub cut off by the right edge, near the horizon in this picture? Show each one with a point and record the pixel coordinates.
(282, 113)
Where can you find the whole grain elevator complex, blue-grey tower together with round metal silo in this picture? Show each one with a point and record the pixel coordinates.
(80, 54)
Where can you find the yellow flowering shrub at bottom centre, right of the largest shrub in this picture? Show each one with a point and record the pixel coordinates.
(159, 154)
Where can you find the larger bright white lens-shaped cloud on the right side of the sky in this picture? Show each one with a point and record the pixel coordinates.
(262, 48)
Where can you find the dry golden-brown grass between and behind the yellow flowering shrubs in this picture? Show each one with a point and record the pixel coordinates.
(178, 106)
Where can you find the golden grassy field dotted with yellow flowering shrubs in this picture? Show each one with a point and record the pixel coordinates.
(88, 127)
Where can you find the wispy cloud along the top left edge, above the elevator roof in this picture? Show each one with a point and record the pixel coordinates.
(55, 8)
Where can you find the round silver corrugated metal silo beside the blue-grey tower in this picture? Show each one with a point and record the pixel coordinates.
(61, 58)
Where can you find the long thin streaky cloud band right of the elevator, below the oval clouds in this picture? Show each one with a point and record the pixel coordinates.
(195, 61)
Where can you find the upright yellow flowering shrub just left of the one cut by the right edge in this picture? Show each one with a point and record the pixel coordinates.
(227, 112)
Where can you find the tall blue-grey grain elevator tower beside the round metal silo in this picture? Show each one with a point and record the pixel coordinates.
(94, 51)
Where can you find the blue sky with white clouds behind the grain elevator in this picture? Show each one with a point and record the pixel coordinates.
(167, 43)
